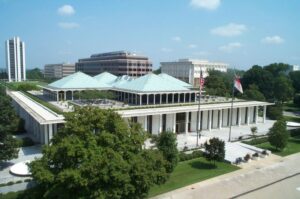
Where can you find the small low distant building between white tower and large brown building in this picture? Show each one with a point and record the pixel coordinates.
(58, 70)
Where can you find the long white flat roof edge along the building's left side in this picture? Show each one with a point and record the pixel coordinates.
(41, 113)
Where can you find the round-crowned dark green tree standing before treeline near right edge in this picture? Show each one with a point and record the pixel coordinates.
(283, 89)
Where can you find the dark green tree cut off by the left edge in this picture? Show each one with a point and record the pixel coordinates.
(8, 124)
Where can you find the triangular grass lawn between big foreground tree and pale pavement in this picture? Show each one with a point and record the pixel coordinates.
(192, 171)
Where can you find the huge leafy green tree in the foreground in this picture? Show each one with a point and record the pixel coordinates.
(98, 155)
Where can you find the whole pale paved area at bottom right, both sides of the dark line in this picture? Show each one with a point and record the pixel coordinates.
(257, 179)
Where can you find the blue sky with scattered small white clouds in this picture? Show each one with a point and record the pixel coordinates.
(241, 33)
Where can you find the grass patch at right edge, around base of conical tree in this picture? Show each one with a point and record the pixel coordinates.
(293, 146)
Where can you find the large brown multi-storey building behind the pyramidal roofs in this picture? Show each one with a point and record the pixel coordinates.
(118, 63)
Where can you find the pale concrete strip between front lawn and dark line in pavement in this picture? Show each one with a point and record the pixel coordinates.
(253, 176)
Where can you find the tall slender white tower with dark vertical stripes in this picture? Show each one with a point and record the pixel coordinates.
(15, 60)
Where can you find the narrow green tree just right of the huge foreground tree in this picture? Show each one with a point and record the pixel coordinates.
(166, 143)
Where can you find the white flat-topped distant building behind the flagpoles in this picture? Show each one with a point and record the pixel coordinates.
(188, 70)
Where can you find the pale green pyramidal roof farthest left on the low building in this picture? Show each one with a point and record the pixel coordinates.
(77, 80)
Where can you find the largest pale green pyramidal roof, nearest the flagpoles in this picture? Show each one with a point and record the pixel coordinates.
(151, 83)
